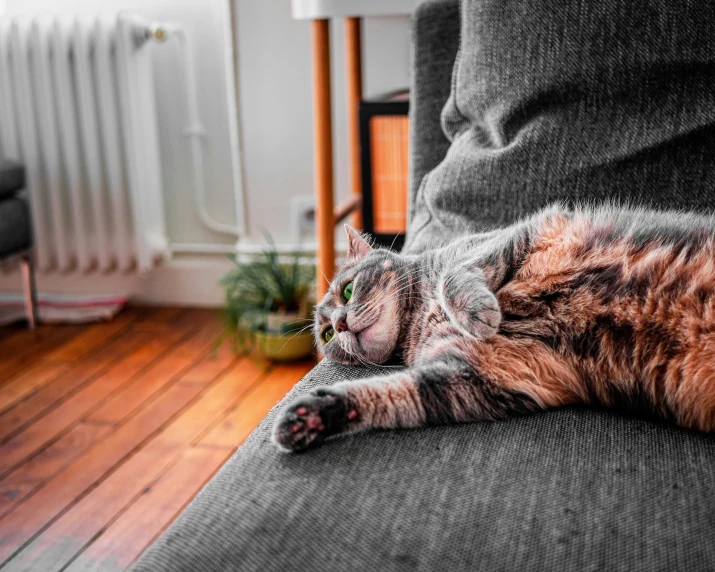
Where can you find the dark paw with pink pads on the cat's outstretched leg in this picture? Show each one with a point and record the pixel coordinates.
(310, 419)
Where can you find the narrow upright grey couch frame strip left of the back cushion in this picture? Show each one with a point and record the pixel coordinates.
(435, 39)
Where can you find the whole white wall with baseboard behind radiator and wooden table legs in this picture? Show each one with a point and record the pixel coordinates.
(274, 92)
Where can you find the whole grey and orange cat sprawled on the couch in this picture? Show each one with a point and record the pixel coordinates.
(593, 305)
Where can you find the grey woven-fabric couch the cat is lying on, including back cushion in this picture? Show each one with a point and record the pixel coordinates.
(574, 489)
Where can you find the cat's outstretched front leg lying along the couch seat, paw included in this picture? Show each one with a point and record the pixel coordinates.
(440, 392)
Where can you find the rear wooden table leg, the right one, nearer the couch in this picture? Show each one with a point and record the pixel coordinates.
(353, 72)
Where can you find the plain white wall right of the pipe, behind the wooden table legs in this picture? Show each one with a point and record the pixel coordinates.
(275, 102)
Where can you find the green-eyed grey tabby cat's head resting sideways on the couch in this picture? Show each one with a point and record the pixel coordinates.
(360, 319)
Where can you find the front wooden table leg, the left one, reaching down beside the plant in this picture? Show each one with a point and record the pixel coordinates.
(323, 143)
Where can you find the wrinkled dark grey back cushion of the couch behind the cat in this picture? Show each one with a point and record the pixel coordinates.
(573, 101)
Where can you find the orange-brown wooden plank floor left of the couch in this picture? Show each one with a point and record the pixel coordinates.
(107, 431)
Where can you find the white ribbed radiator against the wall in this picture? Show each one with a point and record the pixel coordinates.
(77, 107)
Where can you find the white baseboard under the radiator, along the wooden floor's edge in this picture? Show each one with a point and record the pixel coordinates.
(185, 281)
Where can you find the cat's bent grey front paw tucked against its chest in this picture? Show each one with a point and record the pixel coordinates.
(468, 302)
